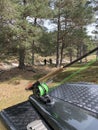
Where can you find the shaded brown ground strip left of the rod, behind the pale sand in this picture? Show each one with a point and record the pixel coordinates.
(29, 73)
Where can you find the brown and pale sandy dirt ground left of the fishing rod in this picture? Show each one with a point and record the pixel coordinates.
(13, 82)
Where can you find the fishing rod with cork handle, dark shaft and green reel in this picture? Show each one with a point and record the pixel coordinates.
(40, 88)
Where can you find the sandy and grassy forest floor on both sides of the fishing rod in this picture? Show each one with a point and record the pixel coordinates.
(13, 81)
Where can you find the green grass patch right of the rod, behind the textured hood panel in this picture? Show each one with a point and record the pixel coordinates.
(80, 73)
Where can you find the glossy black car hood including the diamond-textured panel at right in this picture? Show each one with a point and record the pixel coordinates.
(64, 113)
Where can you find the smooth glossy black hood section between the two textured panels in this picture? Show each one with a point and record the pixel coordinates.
(64, 116)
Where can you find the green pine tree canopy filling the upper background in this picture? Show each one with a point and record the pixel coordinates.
(23, 32)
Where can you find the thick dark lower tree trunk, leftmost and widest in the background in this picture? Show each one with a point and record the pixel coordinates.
(21, 58)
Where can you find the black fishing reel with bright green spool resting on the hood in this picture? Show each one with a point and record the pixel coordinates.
(40, 90)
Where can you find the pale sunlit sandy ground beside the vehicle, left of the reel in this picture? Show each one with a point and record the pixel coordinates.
(11, 94)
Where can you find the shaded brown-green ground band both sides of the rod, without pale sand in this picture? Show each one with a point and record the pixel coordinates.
(36, 72)
